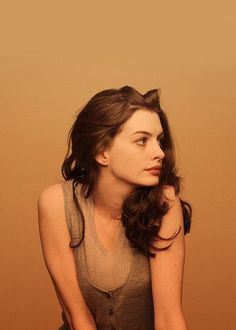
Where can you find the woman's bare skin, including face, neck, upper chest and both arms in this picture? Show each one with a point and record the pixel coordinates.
(123, 167)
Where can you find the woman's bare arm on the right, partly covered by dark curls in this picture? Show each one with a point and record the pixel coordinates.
(167, 266)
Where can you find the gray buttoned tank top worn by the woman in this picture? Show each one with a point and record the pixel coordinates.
(116, 285)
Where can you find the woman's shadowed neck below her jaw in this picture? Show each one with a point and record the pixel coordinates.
(108, 196)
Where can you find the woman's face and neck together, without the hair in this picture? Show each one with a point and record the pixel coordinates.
(124, 164)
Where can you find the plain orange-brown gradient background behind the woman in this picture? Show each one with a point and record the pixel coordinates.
(54, 56)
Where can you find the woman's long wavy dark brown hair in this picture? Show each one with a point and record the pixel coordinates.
(95, 127)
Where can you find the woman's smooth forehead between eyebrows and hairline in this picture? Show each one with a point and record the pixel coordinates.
(143, 120)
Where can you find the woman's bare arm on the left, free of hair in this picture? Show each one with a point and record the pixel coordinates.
(58, 256)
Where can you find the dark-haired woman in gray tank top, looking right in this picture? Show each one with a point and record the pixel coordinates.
(112, 232)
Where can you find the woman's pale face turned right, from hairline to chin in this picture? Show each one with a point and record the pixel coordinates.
(136, 149)
